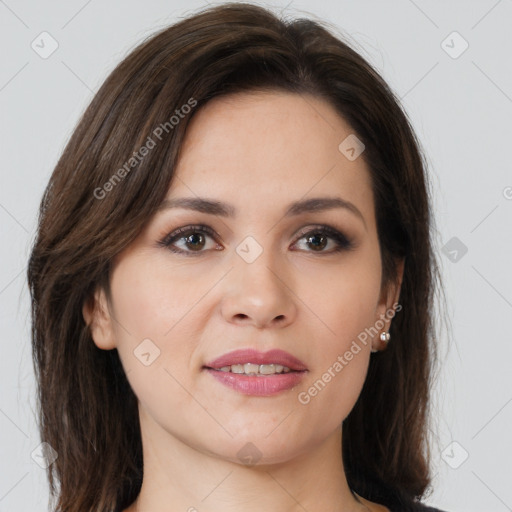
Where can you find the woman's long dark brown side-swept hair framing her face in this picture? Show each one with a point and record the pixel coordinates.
(87, 410)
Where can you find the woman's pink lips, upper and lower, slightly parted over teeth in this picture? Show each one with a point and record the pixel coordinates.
(259, 385)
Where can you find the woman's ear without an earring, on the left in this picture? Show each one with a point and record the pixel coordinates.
(96, 313)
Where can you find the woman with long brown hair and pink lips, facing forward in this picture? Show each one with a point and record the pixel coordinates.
(237, 229)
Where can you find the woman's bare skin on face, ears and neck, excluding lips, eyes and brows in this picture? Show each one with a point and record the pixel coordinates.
(258, 152)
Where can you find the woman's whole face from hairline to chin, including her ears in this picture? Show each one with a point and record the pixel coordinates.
(263, 277)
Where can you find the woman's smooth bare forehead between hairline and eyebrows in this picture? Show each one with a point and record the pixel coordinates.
(269, 148)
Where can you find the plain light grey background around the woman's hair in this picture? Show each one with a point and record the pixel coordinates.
(460, 105)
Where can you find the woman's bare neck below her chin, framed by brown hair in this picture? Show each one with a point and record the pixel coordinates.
(180, 477)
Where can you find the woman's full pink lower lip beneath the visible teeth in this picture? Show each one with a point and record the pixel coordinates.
(259, 386)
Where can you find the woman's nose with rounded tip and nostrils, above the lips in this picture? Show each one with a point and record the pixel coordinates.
(259, 295)
